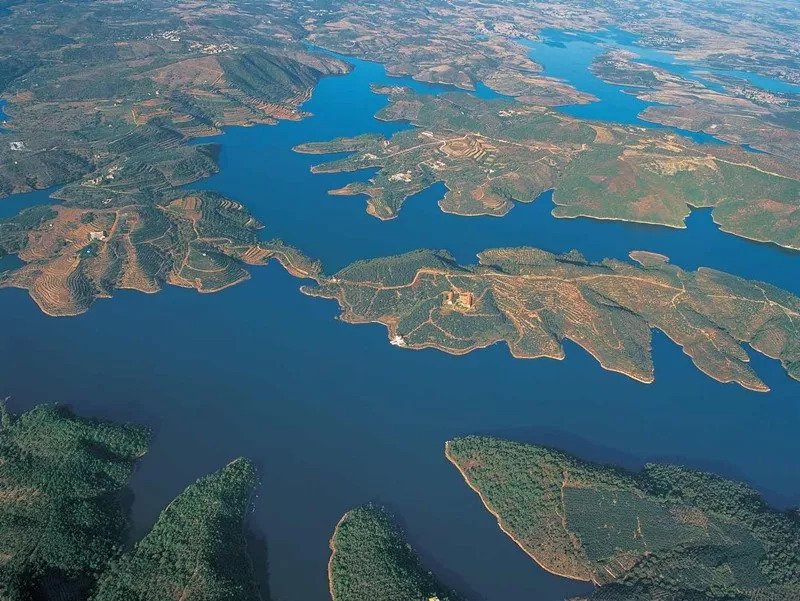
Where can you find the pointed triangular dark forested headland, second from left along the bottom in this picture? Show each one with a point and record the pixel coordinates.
(196, 550)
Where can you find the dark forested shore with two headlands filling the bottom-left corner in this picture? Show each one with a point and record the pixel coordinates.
(63, 518)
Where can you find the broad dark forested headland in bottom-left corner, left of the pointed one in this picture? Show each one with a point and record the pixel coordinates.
(61, 484)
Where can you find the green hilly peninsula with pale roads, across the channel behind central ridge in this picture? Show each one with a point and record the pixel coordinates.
(491, 154)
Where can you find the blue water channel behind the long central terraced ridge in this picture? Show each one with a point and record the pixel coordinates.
(258, 168)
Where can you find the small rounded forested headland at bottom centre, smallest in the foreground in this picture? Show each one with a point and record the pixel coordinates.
(371, 560)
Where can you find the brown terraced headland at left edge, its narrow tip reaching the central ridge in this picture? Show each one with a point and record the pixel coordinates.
(75, 254)
